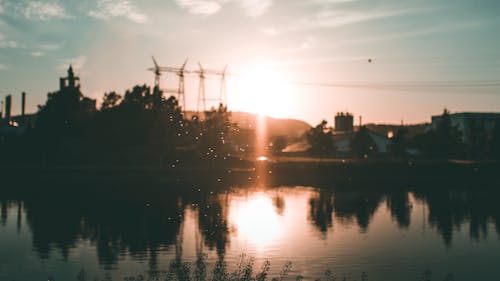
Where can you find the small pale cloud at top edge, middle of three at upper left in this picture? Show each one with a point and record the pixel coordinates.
(107, 9)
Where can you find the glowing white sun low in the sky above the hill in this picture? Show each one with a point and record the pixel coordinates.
(263, 89)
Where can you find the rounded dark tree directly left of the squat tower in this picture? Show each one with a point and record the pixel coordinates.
(320, 139)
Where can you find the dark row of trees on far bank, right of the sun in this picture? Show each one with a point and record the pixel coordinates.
(445, 141)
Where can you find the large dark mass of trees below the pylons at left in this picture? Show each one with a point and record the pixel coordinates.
(142, 126)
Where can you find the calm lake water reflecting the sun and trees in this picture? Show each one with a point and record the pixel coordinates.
(389, 233)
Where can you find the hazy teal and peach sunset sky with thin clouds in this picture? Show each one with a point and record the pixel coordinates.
(305, 59)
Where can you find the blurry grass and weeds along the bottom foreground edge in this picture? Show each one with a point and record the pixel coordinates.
(244, 271)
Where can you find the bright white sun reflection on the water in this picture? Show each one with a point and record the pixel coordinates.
(256, 220)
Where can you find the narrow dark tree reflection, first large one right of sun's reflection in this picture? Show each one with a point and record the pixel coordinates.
(320, 210)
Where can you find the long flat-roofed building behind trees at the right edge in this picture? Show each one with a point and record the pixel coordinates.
(468, 123)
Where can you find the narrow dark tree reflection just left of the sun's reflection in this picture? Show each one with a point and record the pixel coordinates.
(213, 212)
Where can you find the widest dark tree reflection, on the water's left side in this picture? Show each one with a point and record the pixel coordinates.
(115, 228)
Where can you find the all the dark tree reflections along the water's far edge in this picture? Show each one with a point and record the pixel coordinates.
(142, 228)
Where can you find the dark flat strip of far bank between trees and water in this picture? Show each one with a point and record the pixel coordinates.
(223, 174)
